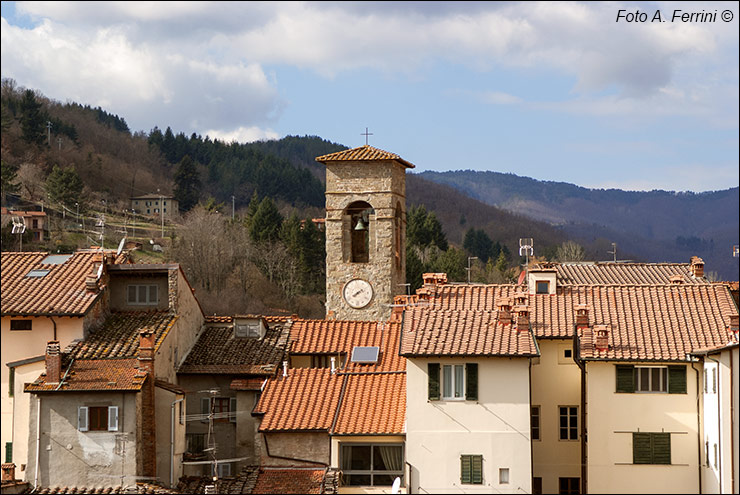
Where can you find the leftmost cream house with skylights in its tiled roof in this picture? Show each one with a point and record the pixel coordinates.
(44, 297)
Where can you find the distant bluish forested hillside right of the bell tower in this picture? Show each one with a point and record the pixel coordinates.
(654, 225)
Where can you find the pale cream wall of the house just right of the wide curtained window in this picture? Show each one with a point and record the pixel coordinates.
(496, 426)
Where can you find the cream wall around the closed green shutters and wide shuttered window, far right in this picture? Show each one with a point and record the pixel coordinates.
(613, 417)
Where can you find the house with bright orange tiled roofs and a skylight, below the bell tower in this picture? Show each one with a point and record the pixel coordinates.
(341, 406)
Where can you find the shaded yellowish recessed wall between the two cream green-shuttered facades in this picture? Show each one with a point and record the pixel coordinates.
(556, 381)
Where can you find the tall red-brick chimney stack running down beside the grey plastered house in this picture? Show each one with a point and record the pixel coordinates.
(147, 461)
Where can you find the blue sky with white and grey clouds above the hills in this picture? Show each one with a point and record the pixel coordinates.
(589, 93)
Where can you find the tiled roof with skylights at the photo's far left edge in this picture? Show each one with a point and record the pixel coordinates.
(61, 291)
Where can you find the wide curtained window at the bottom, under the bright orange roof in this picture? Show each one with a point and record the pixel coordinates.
(371, 464)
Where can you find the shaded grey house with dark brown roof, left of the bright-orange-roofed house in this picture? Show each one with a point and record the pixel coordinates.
(225, 371)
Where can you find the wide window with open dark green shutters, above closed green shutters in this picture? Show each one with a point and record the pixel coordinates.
(651, 379)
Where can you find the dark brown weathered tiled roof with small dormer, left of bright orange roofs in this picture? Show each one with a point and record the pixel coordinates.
(218, 351)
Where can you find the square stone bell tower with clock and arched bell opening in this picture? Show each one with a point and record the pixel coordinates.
(365, 232)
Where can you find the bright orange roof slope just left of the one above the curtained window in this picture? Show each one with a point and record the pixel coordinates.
(306, 399)
